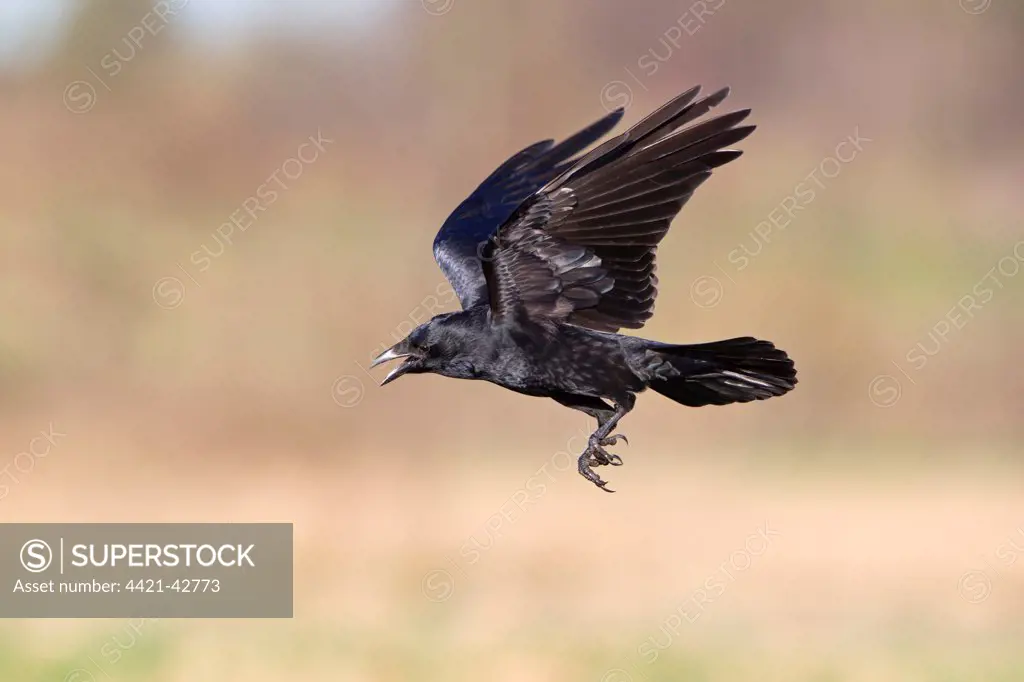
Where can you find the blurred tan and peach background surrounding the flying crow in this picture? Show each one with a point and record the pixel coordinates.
(214, 214)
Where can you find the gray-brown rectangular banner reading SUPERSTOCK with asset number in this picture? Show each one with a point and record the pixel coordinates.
(175, 571)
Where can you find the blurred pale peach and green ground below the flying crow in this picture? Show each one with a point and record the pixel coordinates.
(861, 584)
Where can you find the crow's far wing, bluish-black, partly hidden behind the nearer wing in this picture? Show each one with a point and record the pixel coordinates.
(460, 242)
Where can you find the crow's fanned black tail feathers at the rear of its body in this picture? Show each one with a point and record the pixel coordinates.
(734, 371)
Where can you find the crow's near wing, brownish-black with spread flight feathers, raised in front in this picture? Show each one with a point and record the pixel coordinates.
(582, 249)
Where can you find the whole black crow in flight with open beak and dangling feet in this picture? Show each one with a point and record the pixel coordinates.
(554, 253)
